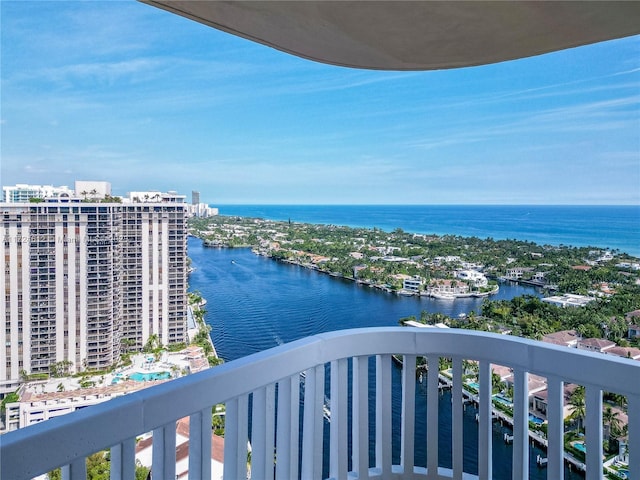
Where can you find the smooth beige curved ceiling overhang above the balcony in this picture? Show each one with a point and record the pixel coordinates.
(415, 35)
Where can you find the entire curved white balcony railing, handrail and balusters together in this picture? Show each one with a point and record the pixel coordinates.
(287, 411)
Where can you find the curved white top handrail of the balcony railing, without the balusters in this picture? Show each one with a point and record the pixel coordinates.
(26, 451)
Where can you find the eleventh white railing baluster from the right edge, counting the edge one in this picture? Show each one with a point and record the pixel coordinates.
(338, 452)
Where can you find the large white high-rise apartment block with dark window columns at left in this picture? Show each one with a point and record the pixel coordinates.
(85, 281)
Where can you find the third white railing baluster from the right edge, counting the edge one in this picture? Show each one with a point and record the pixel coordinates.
(555, 428)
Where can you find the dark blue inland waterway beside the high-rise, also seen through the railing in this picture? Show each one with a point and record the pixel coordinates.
(256, 303)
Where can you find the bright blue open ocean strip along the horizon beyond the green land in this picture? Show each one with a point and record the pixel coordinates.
(614, 227)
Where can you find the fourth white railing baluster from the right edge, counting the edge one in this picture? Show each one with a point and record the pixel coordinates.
(520, 425)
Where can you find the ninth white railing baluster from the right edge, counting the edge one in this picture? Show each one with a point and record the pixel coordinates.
(383, 415)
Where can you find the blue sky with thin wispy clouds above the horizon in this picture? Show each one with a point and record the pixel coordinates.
(127, 93)
